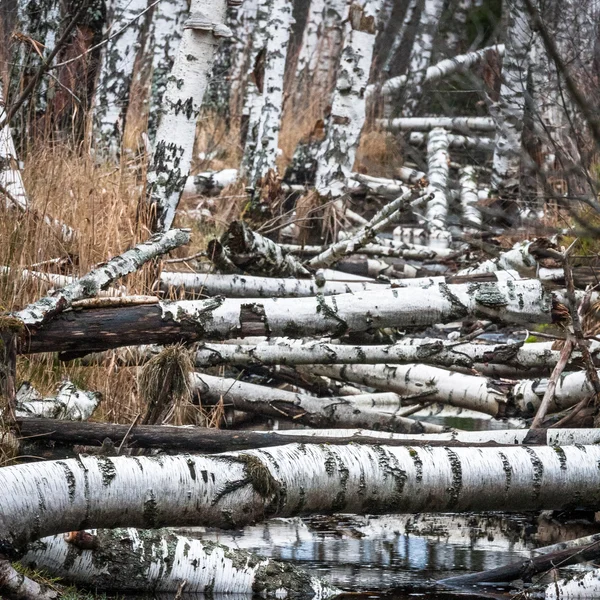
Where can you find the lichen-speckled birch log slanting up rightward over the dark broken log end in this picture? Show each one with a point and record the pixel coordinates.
(101, 277)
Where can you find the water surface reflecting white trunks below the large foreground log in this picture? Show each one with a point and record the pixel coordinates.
(397, 557)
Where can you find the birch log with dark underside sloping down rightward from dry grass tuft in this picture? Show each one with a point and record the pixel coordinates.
(344, 411)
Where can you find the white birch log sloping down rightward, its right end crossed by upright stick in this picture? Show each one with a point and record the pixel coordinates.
(467, 391)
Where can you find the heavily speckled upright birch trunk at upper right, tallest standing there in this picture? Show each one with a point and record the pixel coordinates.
(510, 108)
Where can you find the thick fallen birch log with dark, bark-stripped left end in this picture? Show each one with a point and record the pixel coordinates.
(218, 318)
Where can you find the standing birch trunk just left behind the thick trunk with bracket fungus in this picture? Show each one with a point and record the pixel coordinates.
(167, 27)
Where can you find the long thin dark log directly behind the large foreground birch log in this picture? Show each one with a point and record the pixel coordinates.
(200, 439)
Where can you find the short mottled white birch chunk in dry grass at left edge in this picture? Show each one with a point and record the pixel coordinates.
(70, 403)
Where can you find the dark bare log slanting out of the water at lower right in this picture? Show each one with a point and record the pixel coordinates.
(525, 569)
